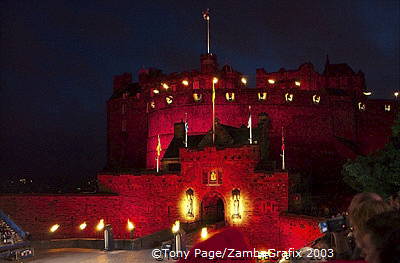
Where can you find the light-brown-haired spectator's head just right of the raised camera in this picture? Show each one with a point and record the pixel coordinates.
(363, 212)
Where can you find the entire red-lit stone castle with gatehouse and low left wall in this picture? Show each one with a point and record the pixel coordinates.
(325, 118)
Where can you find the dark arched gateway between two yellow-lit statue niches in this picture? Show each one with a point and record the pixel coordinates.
(212, 209)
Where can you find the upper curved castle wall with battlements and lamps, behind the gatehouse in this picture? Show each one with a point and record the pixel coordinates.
(313, 107)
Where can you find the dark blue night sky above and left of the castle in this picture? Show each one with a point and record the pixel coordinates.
(58, 59)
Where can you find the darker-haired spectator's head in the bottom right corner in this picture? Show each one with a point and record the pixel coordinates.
(381, 241)
